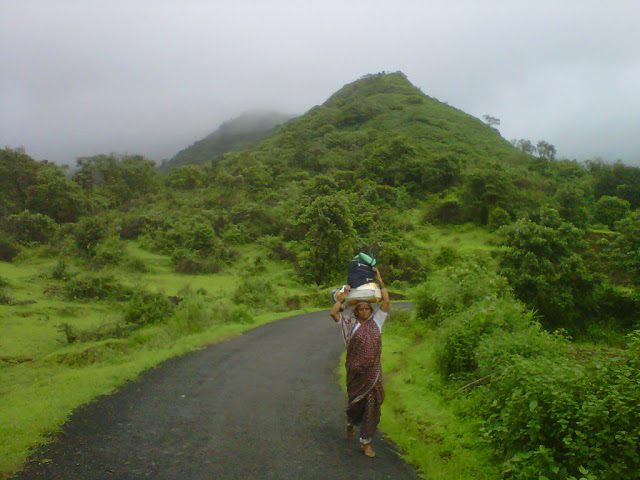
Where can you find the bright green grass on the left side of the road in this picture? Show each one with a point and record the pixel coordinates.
(43, 379)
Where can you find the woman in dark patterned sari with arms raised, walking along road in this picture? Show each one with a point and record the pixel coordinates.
(364, 371)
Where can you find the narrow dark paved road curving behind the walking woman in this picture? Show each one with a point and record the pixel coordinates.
(265, 405)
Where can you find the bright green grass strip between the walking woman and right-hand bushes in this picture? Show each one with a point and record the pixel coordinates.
(421, 422)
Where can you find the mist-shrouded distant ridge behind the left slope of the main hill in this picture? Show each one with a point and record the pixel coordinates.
(240, 133)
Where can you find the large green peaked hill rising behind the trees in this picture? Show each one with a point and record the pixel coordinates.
(383, 130)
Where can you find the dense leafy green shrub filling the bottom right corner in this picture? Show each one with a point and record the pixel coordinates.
(556, 419)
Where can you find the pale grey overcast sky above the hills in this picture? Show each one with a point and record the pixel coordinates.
(84, 77)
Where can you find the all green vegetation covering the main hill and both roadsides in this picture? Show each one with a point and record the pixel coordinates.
(520, 360)
